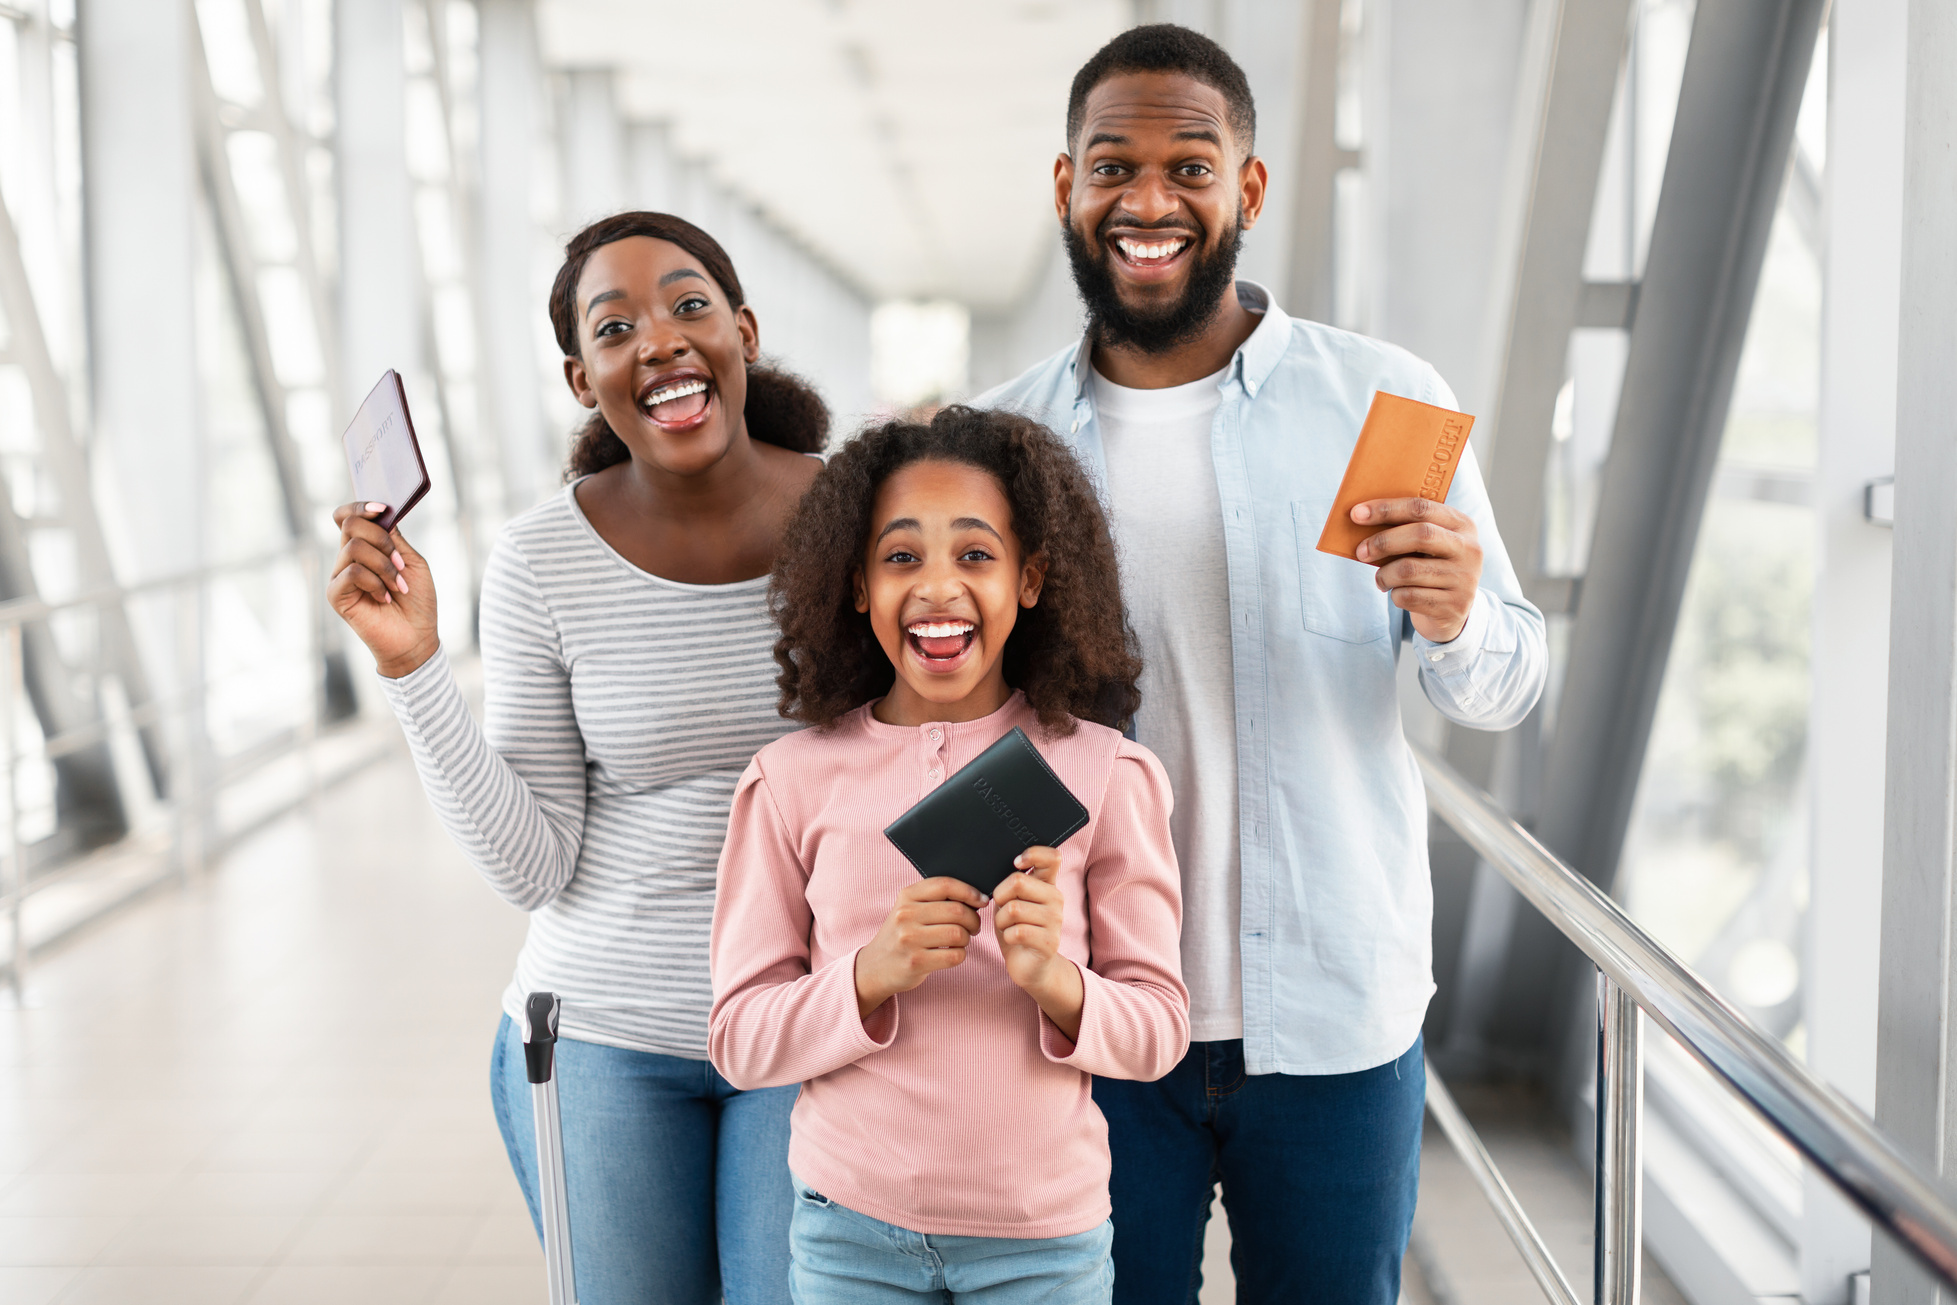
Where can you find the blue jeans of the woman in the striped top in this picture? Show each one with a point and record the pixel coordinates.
(678, 1185)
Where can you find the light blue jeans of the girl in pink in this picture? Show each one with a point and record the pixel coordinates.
(850, 1259)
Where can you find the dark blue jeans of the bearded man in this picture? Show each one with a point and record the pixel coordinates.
(1320, 1175)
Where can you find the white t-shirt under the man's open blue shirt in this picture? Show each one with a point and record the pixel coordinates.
(1175, 578)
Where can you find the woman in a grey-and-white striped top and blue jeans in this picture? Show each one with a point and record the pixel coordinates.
(629, 678)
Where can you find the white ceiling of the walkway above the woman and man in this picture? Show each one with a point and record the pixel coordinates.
(911, 142)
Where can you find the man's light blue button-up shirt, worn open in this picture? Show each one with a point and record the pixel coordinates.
(1338, 901)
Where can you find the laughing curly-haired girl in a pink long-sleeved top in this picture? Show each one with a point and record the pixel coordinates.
(938, 588)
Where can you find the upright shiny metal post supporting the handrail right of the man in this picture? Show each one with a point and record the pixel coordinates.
(1619, 1146)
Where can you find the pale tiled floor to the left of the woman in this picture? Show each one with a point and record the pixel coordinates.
(271, 1089)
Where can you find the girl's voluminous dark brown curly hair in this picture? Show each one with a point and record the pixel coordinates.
(1073, 654)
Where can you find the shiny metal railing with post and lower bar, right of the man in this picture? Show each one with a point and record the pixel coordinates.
(1637, 973)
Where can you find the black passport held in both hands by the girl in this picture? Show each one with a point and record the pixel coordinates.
(1009, 799)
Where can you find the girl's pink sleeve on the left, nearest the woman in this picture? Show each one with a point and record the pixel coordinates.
(774, 1022)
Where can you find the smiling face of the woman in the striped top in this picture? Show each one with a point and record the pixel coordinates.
(662, 353)
